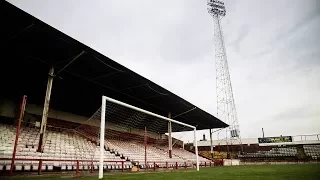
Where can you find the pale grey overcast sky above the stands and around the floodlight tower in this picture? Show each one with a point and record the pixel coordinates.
(273, 50)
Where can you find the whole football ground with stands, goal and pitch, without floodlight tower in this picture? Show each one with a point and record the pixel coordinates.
(67, 111)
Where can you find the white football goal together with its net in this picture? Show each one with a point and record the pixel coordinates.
(128, 136)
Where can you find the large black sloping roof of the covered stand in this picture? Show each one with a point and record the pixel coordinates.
(83, 75)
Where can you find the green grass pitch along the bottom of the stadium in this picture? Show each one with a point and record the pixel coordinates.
(259, 172)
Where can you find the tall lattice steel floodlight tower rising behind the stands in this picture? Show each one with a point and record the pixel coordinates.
(226, 110)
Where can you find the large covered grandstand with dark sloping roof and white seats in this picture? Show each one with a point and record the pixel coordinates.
(81, 76)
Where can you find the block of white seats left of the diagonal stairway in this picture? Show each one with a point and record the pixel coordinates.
(58, 145)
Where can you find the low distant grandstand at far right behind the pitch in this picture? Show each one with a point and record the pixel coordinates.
(303, 148)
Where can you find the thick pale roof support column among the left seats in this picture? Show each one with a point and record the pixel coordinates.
(45, 110)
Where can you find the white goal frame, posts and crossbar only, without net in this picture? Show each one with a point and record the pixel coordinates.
(102, 128)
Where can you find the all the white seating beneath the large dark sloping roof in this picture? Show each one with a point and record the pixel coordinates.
(68, 145)
